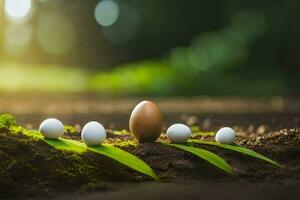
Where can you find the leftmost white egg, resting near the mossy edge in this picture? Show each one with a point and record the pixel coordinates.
(52, 128)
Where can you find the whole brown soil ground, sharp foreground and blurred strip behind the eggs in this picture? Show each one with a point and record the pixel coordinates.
(32, 169)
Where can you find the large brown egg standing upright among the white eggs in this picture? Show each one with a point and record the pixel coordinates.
(146, 122)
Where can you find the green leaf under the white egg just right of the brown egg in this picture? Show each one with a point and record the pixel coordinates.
(206, 155)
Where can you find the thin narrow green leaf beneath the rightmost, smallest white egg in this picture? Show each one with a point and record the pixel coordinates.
(239, 149)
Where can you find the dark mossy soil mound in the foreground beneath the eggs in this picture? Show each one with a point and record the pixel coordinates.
(30, 167)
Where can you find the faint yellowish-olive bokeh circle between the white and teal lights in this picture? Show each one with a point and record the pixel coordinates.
(55, 33)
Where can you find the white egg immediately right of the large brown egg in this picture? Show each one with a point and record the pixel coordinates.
(178, 133)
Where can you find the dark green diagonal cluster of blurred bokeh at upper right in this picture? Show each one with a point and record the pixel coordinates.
(220, 50)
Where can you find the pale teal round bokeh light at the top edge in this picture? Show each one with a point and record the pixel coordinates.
(106, 12)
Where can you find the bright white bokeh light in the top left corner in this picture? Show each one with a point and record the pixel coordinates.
(17, 10)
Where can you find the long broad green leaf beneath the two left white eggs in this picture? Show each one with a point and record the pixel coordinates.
(110, 151)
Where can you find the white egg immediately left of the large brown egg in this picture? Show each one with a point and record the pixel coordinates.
(93, 133)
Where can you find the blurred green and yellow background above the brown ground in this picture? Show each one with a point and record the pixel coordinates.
(158, 47)
